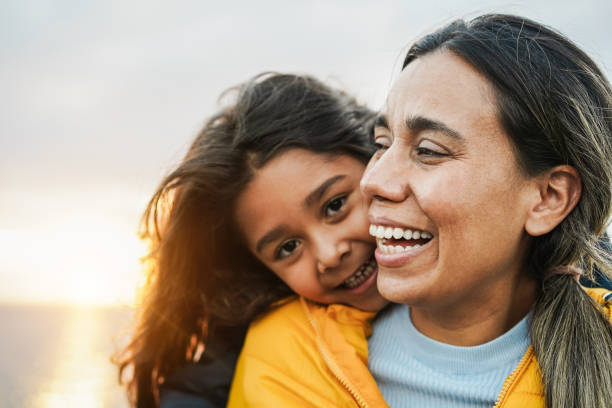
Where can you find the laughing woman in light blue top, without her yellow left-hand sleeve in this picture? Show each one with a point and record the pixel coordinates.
(495, 145)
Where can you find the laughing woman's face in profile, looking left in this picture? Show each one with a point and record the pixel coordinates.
(446, 170)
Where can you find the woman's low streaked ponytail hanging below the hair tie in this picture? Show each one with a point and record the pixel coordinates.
(572, 339)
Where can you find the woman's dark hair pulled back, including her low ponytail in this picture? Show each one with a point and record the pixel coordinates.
(556, 106)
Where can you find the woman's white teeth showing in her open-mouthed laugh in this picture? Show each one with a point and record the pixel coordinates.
(409, 239)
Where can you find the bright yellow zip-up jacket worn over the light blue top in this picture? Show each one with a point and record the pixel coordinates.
(319, 359)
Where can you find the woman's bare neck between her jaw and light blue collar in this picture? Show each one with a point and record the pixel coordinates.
(479, 318)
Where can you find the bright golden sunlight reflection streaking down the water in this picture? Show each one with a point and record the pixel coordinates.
(83, 375)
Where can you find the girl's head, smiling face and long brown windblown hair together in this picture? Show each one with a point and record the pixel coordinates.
(265, 204)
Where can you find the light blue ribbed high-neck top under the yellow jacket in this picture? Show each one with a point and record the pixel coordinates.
(413, 370)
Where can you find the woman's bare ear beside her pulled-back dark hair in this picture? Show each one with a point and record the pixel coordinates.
(559, 190)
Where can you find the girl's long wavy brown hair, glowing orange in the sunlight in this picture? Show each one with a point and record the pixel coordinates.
(203, 286)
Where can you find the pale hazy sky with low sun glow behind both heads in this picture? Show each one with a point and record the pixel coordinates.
(102, 98)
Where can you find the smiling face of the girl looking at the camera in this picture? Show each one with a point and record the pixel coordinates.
(304, 217)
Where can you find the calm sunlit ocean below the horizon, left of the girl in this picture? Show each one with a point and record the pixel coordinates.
(59, 356)
